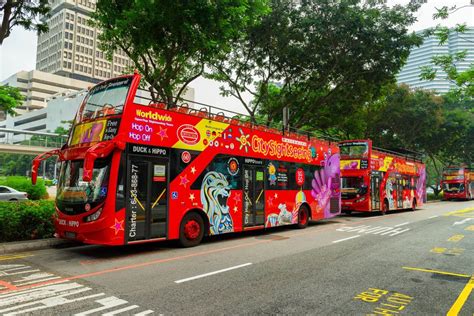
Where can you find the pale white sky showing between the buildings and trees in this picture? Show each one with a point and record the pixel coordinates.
(18, 51)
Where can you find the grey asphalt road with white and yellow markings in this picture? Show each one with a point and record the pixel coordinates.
(412, 263)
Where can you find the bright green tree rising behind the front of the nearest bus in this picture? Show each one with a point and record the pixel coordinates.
(171, 41)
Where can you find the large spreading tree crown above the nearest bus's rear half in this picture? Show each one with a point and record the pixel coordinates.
(323, 57)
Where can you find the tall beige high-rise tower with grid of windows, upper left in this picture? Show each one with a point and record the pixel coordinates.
(71, 47)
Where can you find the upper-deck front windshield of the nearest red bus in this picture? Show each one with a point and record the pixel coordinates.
(105, 99)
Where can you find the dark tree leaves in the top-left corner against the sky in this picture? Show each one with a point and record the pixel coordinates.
(24, 13)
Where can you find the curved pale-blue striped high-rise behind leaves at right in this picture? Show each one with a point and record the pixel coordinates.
(422, 56)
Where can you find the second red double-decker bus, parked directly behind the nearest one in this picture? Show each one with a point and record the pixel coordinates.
(374, 179)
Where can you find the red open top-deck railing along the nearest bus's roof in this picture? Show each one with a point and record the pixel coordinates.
(235, 118)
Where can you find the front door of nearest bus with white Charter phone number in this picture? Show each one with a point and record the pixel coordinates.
(147, 198)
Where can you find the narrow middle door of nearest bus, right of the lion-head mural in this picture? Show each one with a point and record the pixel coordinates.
(253, 195)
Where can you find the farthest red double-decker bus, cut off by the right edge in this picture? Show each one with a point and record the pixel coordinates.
(458, 183)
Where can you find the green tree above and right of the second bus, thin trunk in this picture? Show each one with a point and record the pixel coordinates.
(441, 128)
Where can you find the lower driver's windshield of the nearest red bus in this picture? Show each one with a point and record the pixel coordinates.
(76, 196)
